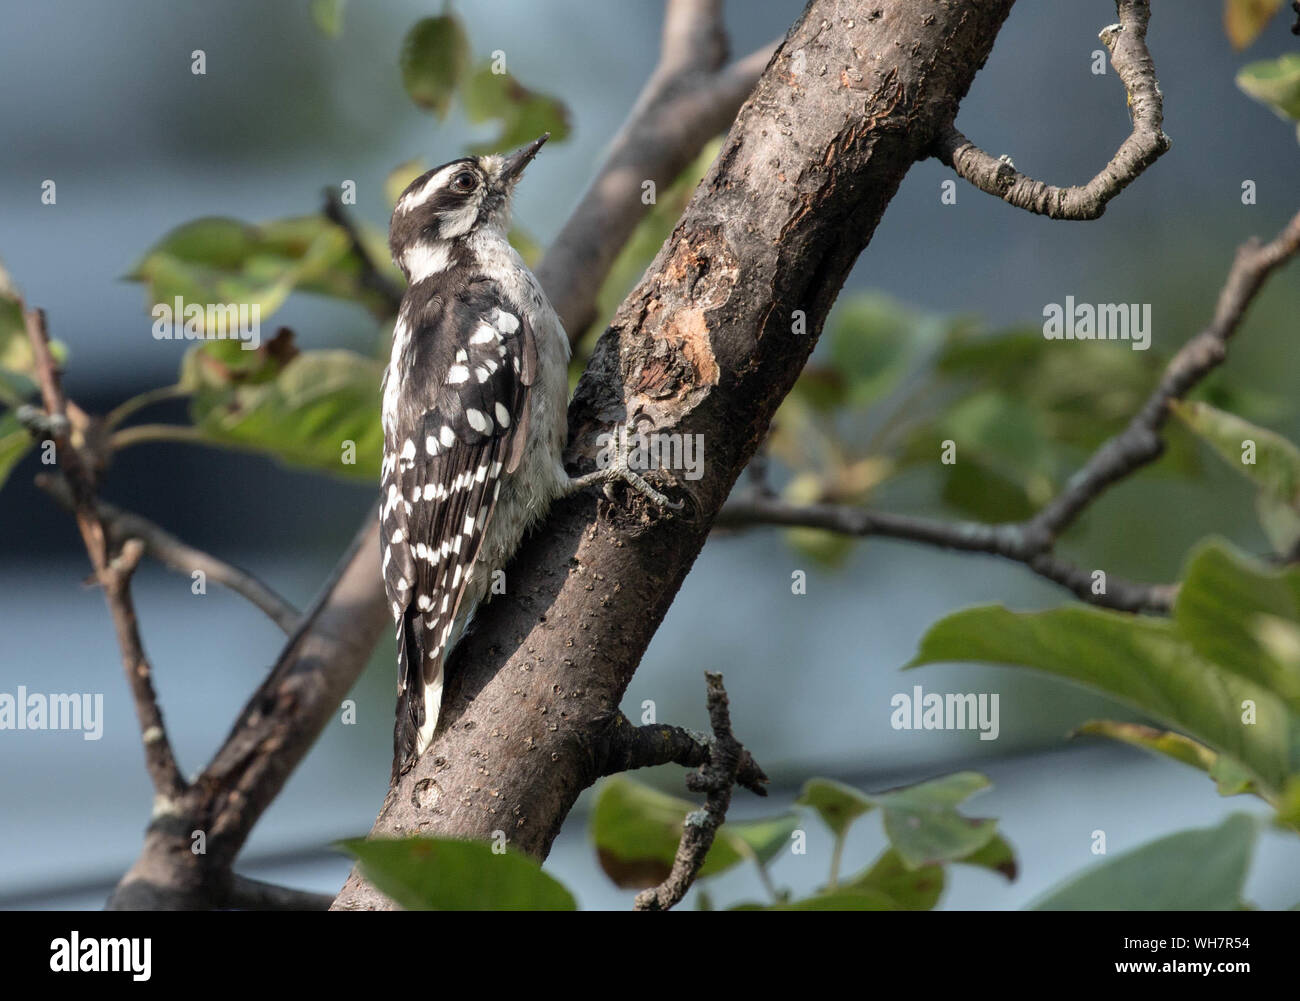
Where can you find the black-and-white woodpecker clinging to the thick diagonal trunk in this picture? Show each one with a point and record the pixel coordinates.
(474, 411)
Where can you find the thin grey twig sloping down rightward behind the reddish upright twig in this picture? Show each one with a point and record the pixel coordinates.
(171, 552)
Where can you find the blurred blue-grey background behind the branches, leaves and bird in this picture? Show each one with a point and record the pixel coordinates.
(101, 99)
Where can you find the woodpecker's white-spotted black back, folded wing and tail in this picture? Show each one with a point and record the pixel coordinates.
(457, 422)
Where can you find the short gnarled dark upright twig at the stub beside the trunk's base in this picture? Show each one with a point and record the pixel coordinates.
(716, 778)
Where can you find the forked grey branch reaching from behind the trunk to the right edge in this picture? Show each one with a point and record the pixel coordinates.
(1033, 543)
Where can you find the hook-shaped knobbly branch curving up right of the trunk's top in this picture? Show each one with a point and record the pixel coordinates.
(998, 176)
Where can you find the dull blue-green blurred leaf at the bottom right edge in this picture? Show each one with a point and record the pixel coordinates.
(1193, 870)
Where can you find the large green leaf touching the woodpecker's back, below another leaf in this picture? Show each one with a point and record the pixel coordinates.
(304, 415)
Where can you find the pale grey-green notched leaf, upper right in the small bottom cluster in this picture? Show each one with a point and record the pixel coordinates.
(922, 822)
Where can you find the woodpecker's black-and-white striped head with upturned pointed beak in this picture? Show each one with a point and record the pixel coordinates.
(453, 202)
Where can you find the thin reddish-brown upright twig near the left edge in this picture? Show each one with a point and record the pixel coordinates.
(114, 571)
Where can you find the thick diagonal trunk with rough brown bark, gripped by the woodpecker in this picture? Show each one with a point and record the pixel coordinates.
(705, 345)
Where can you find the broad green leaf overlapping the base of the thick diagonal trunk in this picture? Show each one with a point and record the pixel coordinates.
(440, 874)
